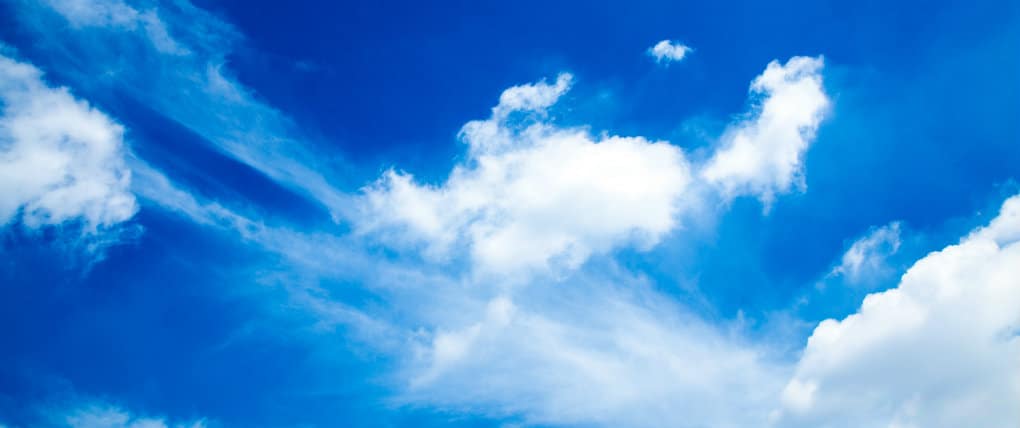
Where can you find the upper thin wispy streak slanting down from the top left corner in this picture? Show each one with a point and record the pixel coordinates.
(171, 57)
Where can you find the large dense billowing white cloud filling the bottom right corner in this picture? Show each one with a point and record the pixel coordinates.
(939, 351)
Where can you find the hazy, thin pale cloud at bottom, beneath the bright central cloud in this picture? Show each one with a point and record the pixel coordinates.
(596, 354)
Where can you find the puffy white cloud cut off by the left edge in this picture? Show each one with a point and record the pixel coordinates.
(61, 159)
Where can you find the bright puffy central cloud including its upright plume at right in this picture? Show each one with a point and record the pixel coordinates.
(533, 195)
